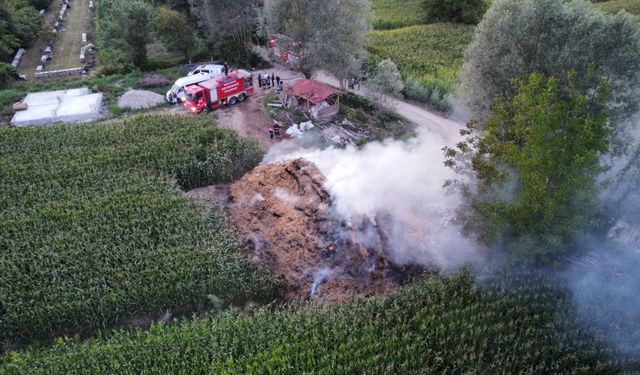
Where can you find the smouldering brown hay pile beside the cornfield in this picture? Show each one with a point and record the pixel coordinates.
(286, 214)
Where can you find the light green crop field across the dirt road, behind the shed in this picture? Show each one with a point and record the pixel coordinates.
(430, 55)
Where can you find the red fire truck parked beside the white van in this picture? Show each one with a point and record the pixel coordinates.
(209, 95)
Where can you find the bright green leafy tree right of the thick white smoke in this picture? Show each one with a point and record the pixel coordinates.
(536, 164)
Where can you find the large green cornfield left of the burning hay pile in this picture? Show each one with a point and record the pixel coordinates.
(95, 229)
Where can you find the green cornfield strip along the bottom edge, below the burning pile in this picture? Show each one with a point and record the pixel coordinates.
(446, 326)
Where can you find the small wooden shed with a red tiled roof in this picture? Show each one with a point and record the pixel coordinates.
(317, 98)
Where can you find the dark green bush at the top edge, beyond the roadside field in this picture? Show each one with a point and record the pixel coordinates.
(460, 11)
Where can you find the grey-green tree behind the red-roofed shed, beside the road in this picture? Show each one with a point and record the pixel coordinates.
(333, 32)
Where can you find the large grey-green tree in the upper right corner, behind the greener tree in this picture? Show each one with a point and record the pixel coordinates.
(520, 37)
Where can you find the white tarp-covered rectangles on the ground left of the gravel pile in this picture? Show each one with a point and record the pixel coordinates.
(44, 108)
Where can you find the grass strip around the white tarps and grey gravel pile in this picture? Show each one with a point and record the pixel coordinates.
(112, 86)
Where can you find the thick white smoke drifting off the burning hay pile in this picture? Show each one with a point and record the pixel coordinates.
(399, 185)
